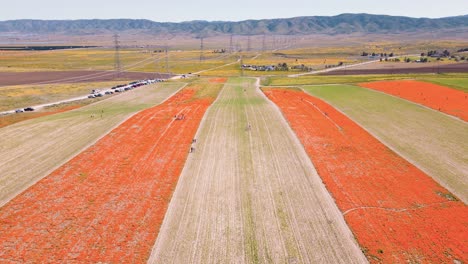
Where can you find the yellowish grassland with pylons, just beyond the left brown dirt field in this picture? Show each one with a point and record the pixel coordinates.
(100, 59)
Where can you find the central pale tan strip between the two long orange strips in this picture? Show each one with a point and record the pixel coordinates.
(251, 195)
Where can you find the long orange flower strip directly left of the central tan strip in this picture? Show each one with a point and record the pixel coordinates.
(107, 203)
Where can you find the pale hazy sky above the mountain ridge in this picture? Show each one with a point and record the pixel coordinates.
(228, 10)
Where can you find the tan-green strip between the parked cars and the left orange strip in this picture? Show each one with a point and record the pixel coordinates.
(32, 149)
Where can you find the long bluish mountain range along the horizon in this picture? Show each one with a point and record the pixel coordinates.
(341, 24)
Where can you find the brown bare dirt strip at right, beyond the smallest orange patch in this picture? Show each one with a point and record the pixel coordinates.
(402, 68)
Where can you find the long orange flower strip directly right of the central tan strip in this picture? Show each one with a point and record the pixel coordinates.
(397, 213)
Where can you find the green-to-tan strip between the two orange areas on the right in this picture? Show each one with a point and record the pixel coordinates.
(435, 142)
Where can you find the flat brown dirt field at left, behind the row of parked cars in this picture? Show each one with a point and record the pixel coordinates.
(19, 78)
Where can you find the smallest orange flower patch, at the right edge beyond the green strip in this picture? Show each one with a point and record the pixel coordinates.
(441, 98)
